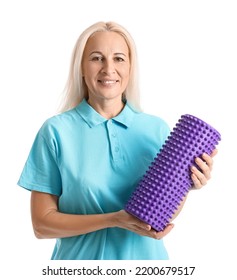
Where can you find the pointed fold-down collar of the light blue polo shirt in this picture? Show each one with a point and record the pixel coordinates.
(92, 118)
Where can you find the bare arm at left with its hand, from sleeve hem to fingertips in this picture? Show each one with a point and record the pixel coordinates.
(48, 222)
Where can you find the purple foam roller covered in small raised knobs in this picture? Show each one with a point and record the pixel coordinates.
(168, 178)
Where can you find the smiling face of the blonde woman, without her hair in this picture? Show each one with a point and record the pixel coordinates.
(106, 65)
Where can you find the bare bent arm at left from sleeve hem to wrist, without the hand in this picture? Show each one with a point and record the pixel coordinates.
(48, 222)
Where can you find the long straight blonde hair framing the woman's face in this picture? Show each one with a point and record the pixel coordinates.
(75, 90)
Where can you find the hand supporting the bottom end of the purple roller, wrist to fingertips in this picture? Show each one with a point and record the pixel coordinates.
(125, 220)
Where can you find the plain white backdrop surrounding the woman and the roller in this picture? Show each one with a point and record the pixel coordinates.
(188, 64)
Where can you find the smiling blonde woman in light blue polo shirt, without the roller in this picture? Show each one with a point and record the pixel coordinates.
(86, 161)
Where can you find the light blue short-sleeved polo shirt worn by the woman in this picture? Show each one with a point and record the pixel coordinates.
(93, 165)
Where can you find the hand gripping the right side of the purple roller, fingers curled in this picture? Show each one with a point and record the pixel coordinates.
(205, 163)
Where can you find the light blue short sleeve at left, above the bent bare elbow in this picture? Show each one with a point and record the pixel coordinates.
(41, 172)
